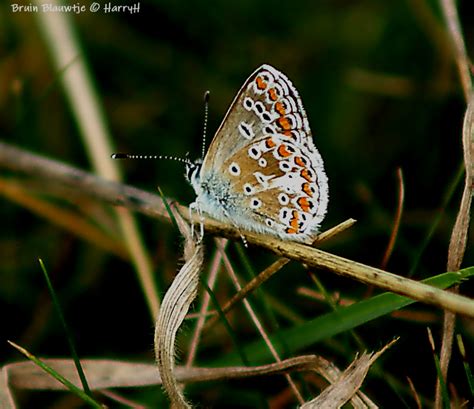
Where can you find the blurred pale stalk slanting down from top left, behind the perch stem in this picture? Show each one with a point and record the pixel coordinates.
(59, 35)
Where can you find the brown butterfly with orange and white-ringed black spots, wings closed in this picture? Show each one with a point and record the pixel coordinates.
(262, 172)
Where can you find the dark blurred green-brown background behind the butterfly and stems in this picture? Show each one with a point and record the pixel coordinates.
(380, 89)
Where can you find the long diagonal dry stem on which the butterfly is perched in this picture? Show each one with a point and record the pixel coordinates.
(151, 205)
